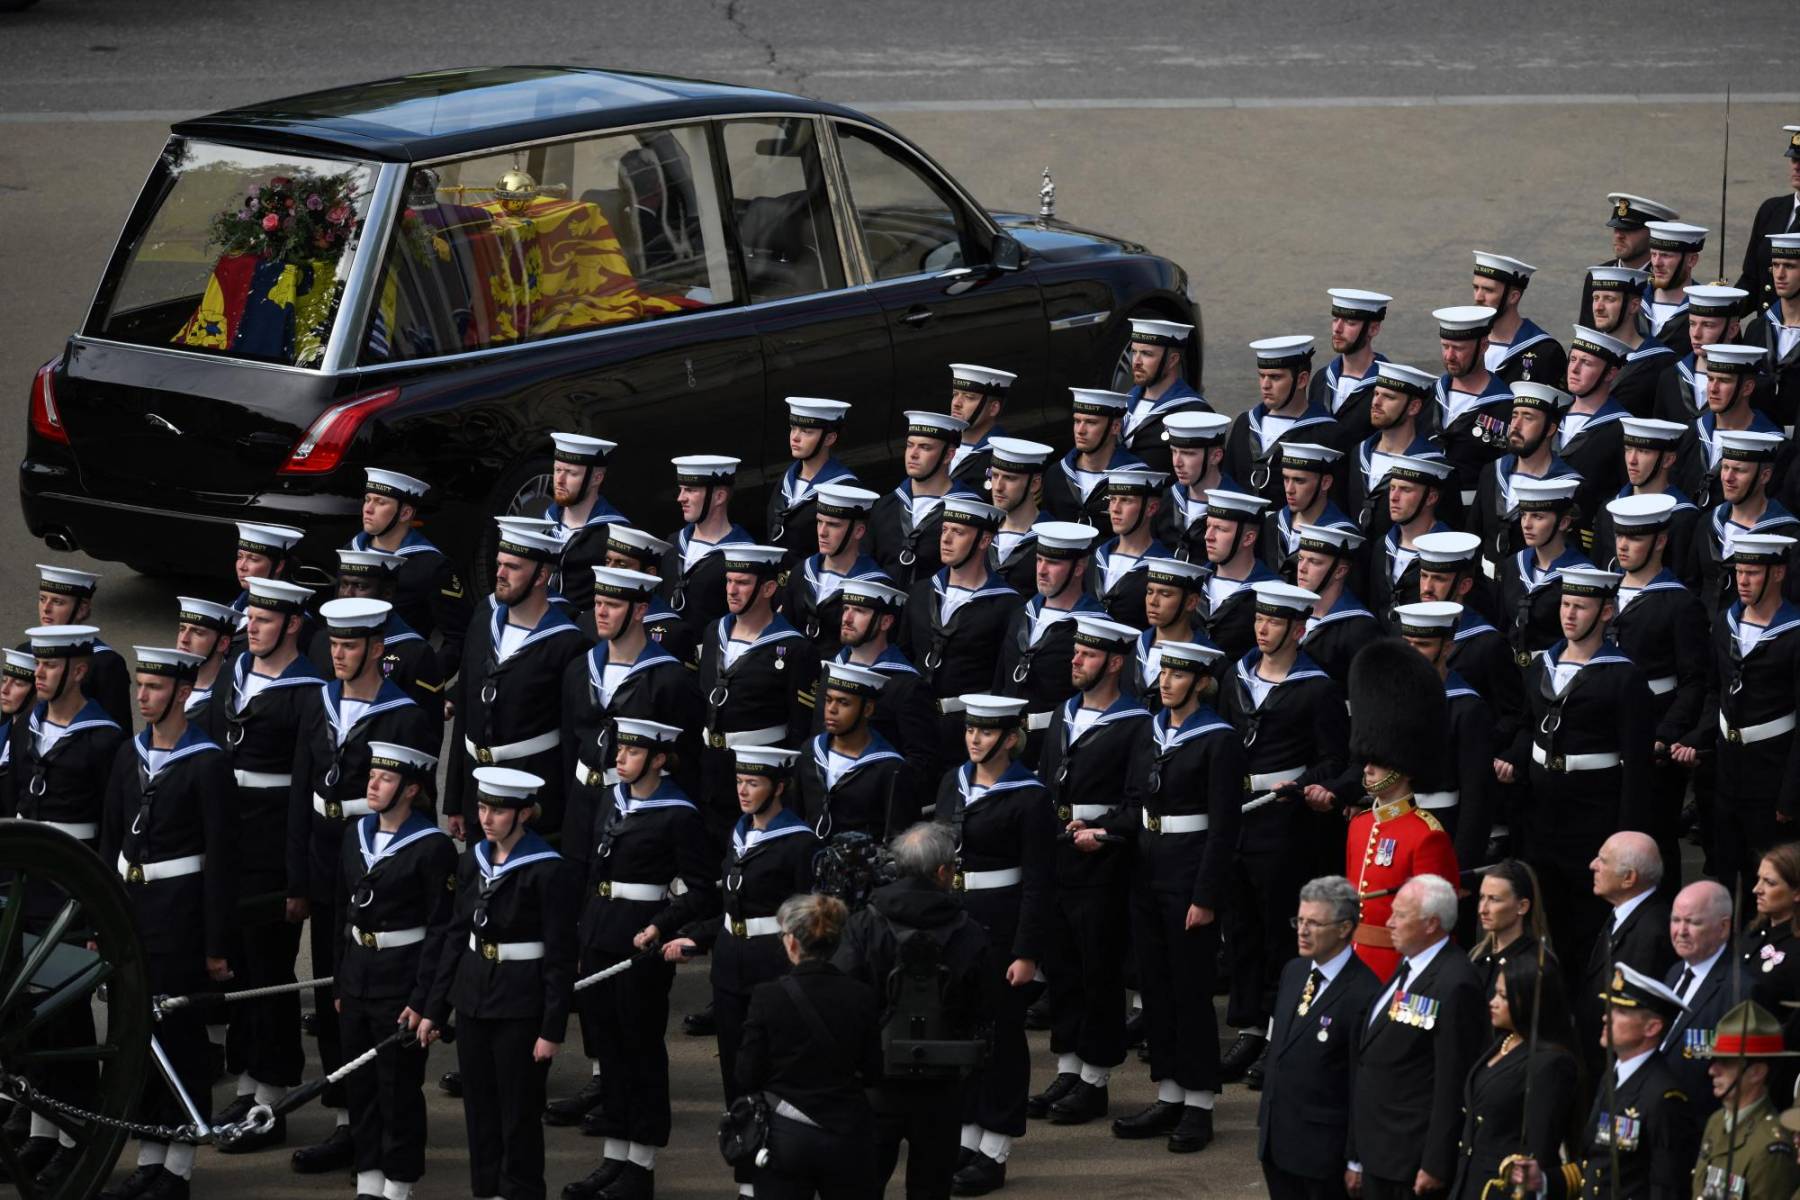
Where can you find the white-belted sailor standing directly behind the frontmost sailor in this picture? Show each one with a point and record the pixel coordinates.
(507, 710)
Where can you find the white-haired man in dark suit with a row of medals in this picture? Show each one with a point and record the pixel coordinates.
(1414, 1052)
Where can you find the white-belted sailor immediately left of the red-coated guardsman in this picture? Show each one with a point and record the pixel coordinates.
(1291, 719)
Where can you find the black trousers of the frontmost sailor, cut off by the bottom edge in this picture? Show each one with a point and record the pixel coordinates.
(503, 1107)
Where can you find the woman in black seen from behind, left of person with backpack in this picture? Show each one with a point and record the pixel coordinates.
(813, 1043)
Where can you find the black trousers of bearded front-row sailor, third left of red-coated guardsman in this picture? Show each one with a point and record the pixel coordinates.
(1086, 967)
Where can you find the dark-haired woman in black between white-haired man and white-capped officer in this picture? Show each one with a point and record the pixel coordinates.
(1495, 1091)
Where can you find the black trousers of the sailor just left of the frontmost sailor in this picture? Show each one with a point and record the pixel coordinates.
(388, 1097)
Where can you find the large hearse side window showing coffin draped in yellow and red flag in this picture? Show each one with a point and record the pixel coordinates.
(552, 240)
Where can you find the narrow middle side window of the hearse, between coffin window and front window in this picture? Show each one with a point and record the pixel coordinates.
(780, 206)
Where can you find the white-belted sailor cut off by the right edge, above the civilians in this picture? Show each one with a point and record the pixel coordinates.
(1752, 697)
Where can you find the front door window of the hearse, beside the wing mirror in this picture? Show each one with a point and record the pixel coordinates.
(910, 224)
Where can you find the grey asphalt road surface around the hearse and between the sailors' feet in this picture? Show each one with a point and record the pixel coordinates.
(1272, 148)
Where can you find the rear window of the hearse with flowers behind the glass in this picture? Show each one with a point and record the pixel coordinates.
(242, 255)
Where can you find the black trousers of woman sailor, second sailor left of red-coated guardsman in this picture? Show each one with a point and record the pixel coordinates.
(1176, 972)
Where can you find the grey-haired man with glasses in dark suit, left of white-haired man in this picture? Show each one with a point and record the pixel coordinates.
(1320, 1008)
